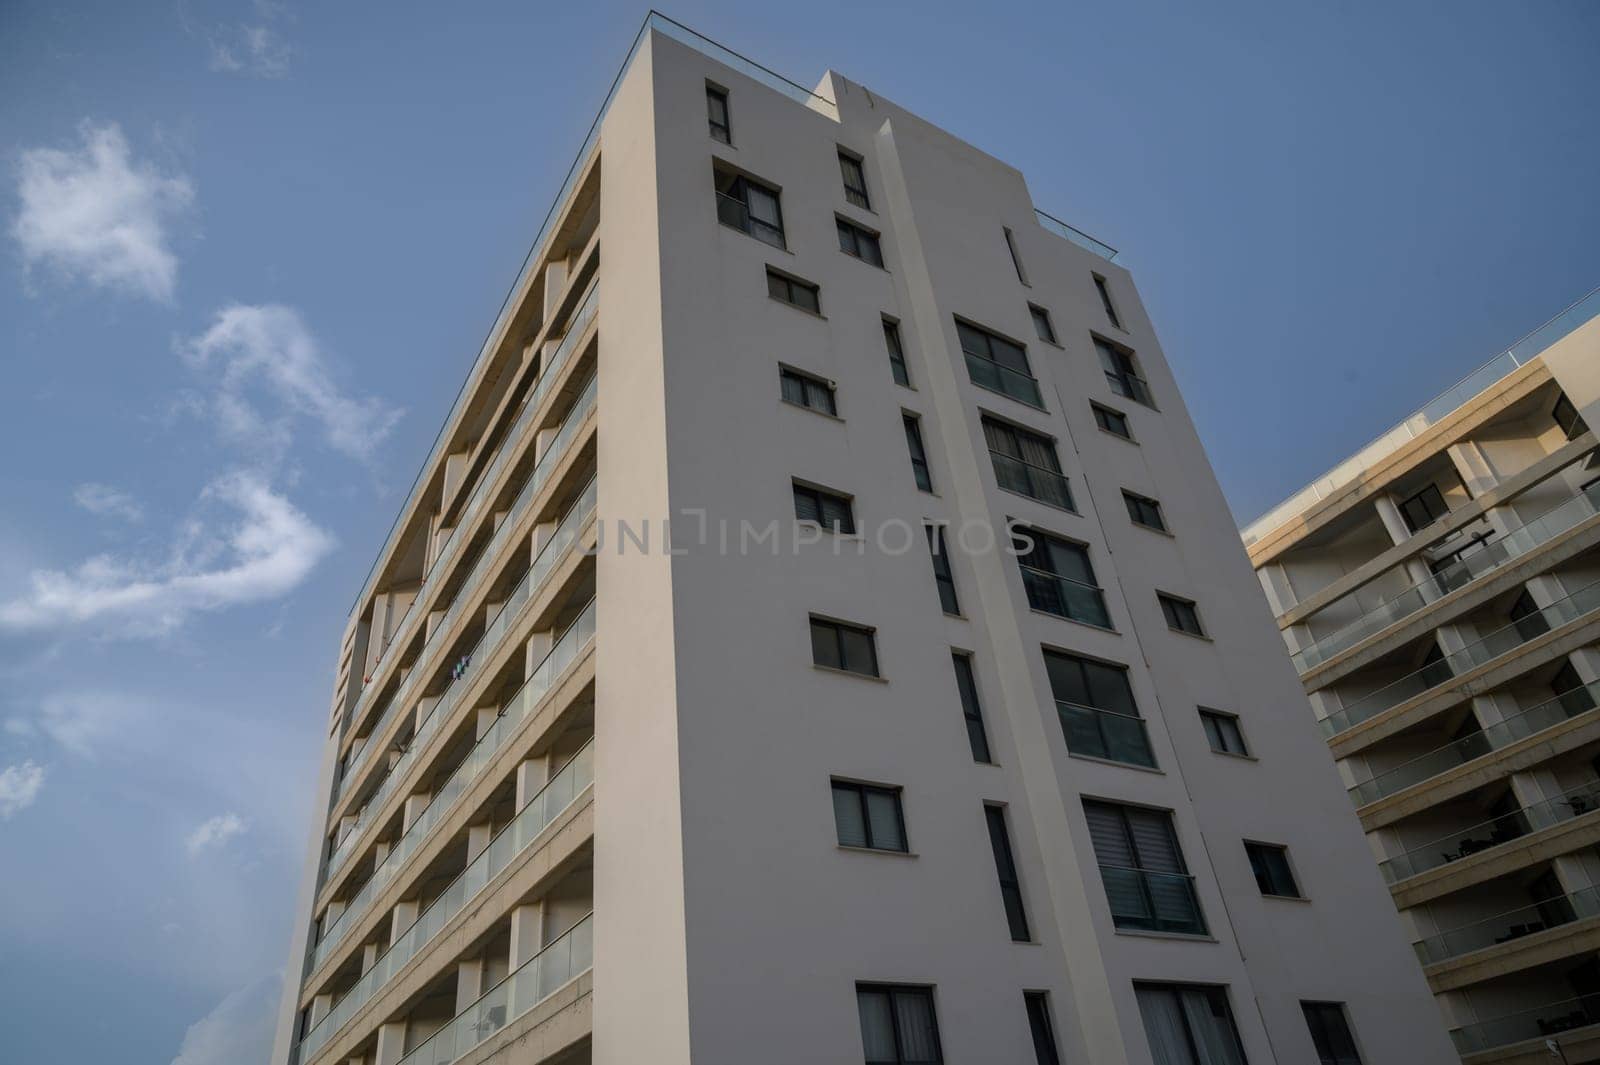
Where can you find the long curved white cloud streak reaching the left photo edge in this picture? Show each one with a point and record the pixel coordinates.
(262, 554)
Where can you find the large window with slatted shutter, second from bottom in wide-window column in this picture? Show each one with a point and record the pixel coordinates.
(1146, 880)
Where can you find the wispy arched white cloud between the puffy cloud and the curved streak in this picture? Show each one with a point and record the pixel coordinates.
(271, 345)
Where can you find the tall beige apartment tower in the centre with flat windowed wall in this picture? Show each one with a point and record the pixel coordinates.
(830, 772)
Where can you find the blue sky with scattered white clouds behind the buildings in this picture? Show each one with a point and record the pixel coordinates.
(249, 252)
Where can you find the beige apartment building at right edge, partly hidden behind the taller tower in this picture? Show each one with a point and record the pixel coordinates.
(1441, 597)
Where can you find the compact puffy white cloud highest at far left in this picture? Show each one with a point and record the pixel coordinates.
(97, 213)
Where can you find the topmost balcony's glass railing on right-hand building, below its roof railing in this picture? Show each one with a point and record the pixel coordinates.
(1473, 565)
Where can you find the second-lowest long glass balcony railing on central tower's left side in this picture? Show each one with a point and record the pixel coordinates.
(513, 840)
